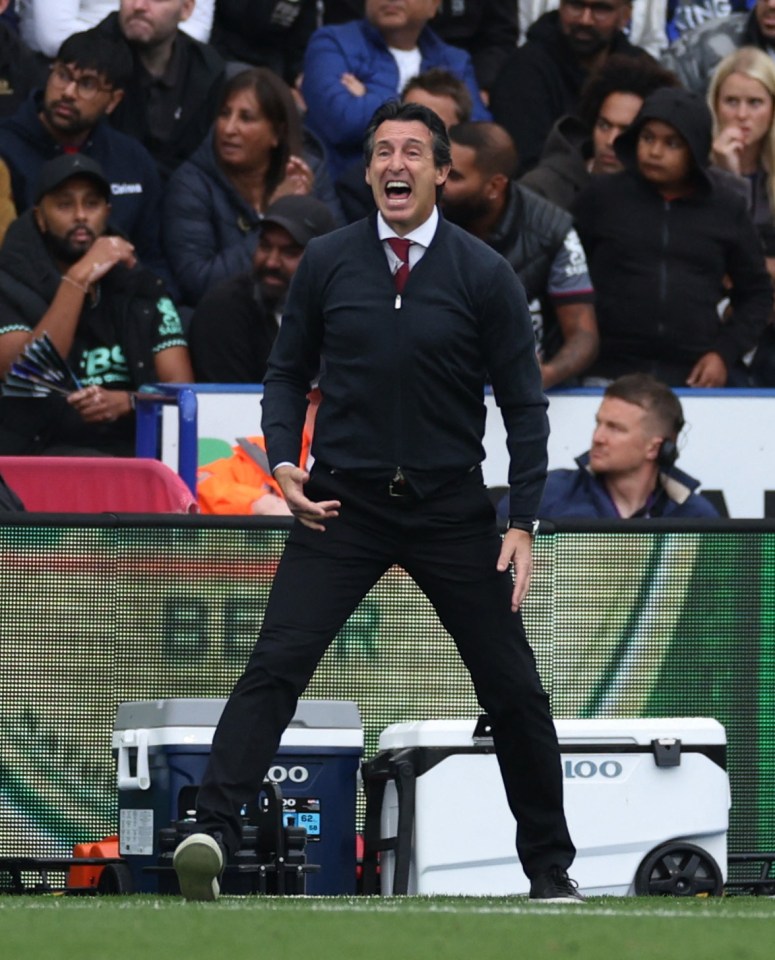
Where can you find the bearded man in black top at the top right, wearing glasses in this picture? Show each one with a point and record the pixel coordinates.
(542, 79)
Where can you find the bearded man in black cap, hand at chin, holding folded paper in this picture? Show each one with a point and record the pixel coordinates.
(63, 273)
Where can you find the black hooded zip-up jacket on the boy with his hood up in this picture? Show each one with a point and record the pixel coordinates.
(659, 265)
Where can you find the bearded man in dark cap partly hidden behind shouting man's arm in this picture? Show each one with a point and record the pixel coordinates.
(235, 324)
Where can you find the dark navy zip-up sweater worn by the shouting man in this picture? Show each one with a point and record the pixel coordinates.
(403, 378)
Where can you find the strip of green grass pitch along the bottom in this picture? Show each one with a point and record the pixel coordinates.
(411, 928)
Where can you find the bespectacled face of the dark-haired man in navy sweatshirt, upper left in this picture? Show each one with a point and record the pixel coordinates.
(75, 100)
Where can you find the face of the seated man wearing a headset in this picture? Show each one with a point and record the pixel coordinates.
(622, 441)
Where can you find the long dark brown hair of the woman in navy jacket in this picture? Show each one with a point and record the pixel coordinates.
(277, 105)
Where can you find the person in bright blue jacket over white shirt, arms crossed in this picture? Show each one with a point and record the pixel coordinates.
(350, 69)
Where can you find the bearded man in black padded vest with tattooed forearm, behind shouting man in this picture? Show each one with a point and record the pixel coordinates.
(536, 237)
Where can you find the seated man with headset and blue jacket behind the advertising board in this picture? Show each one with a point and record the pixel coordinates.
(630, 470)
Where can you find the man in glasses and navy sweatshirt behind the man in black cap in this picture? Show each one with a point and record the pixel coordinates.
(84, 86)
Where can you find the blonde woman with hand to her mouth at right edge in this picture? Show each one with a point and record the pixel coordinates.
(742, 99)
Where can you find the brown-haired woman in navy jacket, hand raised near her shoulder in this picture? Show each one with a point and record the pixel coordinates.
(256, 153)
